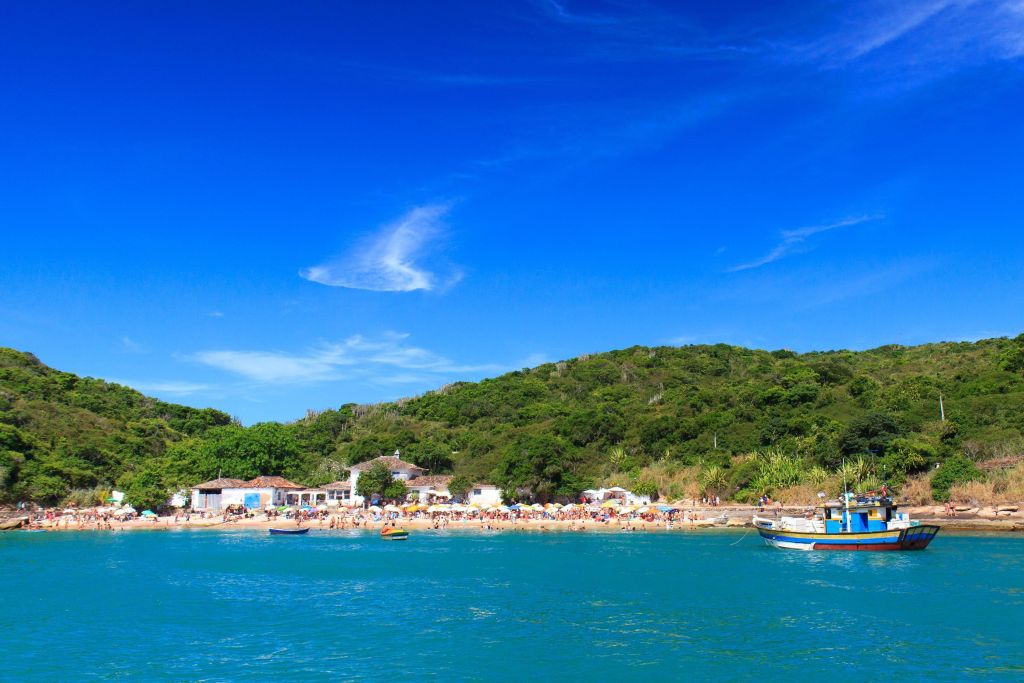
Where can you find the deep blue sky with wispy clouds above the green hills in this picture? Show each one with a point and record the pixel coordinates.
(273, 207)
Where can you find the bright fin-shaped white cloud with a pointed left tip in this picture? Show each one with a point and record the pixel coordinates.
(395, 259)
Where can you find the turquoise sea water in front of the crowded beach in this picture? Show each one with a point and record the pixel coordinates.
(245, 607)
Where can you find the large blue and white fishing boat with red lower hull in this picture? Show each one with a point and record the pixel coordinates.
(857, 523)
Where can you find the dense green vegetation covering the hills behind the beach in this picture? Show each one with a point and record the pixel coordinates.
(717, 419)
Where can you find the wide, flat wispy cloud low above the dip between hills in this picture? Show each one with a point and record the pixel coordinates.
(356, 358)
